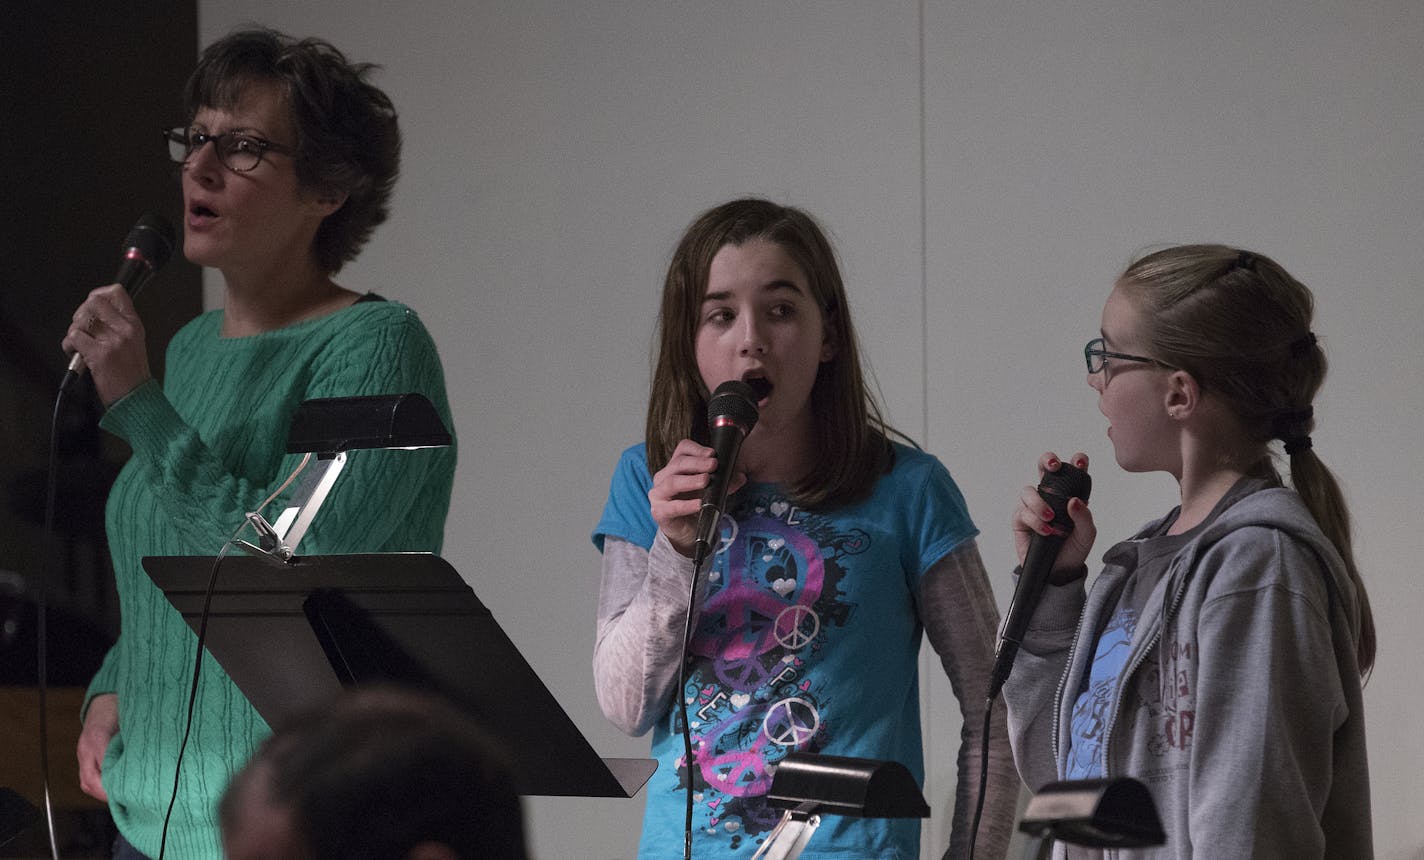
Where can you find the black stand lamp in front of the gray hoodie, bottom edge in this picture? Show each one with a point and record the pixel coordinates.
(1106, 814)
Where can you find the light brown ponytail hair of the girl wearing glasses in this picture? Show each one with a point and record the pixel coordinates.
(1240, 324)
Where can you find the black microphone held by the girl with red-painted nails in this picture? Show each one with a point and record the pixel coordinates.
(1057, 488)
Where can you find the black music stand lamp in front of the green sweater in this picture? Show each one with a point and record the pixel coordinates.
(330, 428)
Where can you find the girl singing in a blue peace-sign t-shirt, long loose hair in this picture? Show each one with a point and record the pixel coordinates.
(839, 549)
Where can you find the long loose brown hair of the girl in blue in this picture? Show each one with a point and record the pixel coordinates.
(852, 436)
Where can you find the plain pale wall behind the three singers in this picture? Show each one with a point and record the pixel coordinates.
(986, 169)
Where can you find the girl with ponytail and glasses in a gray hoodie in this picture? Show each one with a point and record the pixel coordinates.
(1218, 657)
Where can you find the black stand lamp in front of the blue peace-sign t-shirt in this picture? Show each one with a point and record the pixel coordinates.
(810, 787)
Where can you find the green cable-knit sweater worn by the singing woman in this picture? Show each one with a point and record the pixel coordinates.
(209, 448)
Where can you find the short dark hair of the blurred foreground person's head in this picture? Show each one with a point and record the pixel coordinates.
(381, 771)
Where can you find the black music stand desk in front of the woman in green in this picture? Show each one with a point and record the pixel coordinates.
(293, 634)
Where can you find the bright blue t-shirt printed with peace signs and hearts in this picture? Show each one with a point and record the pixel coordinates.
(808, 641)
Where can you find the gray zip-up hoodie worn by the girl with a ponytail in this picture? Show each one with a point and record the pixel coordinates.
(1240, 706)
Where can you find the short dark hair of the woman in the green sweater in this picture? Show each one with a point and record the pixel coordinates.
(348, 139)
